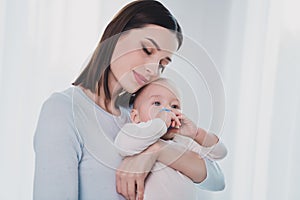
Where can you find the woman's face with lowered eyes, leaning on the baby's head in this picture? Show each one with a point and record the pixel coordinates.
(141, 55)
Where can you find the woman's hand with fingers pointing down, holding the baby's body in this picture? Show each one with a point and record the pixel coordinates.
(131, 174)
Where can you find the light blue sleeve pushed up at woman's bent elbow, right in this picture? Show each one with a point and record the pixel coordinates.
(214, 179)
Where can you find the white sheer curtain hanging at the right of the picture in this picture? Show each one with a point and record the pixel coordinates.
(266, 113)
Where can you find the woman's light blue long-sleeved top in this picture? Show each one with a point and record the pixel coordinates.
(75, 157)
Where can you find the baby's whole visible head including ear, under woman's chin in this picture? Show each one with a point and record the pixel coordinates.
(152, 98)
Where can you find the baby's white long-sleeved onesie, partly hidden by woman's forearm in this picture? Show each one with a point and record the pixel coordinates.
(163, 182)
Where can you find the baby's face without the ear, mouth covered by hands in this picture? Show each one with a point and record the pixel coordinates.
(155, 97)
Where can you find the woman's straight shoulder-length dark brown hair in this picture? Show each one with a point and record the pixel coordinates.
(136, 14)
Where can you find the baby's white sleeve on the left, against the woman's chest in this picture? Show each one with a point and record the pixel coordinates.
(135, 138)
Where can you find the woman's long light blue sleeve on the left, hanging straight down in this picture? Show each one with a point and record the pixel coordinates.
(57, 152)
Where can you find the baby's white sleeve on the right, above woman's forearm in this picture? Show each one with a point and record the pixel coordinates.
(215, 152)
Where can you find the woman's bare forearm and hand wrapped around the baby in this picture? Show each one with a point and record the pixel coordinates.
(133, 170)
